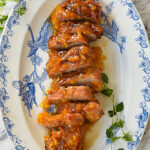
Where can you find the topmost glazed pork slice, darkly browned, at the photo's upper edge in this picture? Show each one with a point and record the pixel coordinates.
(74, 10)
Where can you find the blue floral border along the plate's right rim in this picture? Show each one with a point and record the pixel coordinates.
(142, 118)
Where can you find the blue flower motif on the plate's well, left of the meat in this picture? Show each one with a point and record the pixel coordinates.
(27, 86)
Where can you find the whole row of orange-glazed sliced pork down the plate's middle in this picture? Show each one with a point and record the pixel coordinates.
(70, 106)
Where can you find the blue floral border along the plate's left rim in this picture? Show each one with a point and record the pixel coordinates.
(4, 46)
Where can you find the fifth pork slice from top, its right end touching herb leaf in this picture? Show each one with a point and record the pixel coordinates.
(89, 77)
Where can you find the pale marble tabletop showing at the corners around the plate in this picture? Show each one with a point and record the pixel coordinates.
(143, 6)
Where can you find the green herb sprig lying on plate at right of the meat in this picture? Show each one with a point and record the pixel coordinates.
(118, 123)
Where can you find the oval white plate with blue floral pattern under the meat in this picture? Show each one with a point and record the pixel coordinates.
(23, 78)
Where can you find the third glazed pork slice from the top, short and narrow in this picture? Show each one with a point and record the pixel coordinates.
(66, 41)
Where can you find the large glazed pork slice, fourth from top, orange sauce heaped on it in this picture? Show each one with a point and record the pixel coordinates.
(76, 58)
